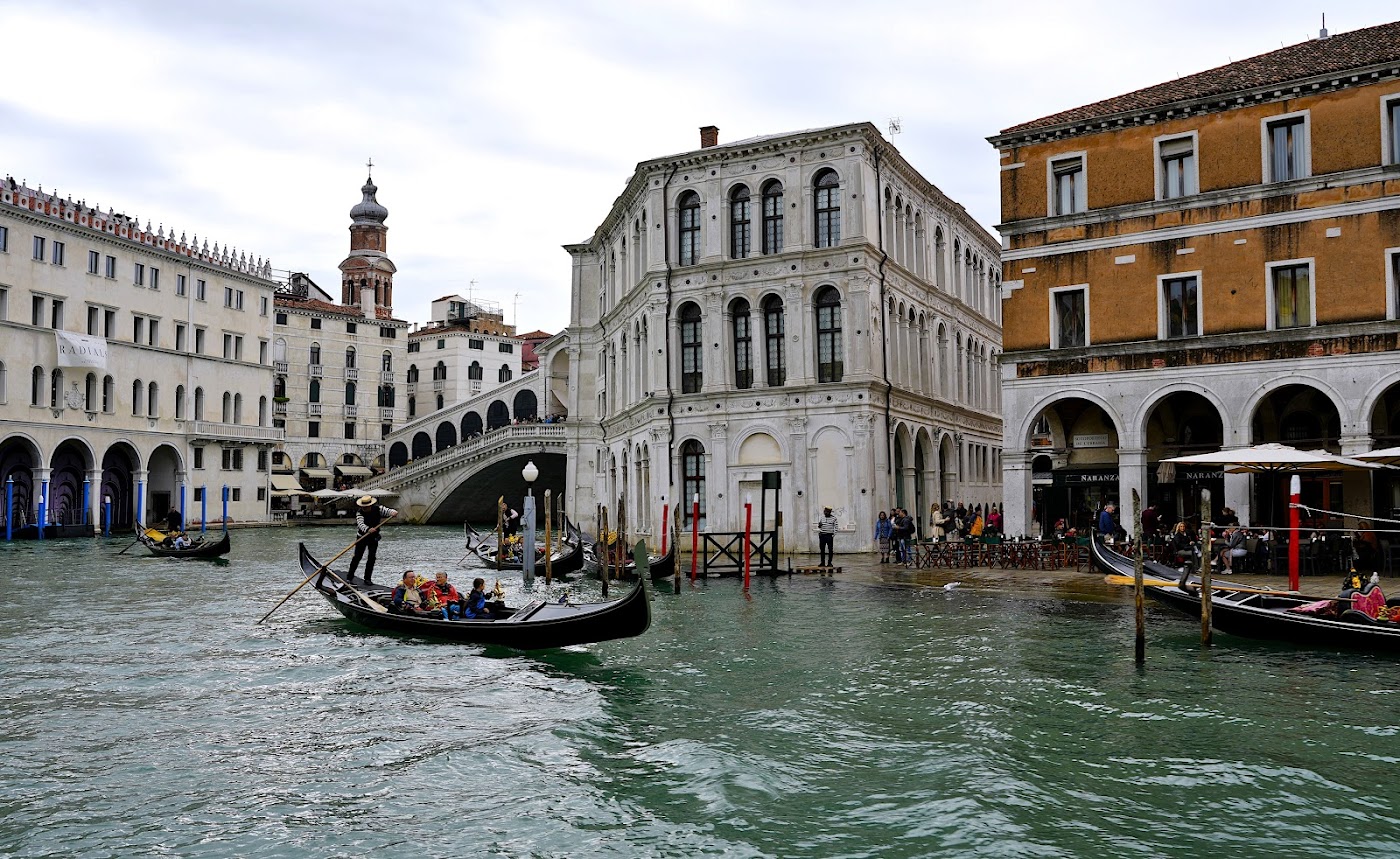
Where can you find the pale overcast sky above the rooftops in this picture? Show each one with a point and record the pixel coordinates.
(503, 131)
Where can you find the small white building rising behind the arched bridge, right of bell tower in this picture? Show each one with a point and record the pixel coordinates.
(464, 352)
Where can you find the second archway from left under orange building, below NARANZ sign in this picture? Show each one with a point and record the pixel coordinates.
(1181, 425)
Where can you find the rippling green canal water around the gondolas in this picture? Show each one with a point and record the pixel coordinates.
(145, 714)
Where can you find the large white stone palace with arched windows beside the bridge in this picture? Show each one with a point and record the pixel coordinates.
(803, 303)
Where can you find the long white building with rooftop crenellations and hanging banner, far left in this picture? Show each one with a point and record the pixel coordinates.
(136, 367)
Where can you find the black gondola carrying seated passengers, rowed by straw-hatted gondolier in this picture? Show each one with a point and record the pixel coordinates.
(531, 627)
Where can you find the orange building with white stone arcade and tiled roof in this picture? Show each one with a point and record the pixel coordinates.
(1206, 264)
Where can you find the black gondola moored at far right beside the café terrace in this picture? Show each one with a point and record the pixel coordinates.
(1276, 618)
